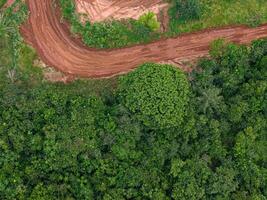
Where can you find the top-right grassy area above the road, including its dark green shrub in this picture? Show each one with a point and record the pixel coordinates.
(194, 15)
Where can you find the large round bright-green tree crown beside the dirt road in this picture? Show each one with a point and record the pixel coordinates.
(156, 94)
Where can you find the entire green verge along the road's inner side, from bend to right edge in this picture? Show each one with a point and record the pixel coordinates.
(185, 16)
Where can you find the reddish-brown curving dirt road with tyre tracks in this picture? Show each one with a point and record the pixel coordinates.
(57, 48)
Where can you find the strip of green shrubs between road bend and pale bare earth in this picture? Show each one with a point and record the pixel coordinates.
(111, 34)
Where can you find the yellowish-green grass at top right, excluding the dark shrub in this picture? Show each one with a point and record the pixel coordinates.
(218, 13)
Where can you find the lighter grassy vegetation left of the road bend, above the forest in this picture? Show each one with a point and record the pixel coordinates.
(15, 56)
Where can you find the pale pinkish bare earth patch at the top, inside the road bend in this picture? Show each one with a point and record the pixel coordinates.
(100, 10)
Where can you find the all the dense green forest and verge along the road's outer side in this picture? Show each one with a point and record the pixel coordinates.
(155, 133)
